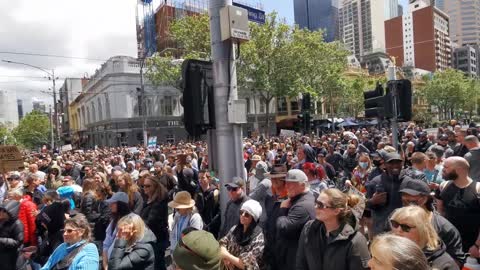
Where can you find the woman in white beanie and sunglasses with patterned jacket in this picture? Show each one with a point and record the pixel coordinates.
(242, 248)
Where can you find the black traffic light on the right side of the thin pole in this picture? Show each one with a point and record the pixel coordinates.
(402, 89)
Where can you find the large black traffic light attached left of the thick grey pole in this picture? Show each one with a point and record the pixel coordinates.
(197, 99)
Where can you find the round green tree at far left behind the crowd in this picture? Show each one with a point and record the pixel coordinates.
(33, 130)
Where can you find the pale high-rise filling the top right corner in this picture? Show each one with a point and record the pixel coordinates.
(464, 21)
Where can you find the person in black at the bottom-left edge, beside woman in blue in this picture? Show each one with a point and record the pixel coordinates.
(11, 236)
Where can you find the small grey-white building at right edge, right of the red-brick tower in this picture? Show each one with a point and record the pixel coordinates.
(466, 59)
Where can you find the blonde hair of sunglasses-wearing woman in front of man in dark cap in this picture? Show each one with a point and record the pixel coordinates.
(418, 217)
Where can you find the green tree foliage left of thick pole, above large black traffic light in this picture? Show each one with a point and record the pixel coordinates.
(192, 36)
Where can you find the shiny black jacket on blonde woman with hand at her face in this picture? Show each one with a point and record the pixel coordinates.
(140, 256)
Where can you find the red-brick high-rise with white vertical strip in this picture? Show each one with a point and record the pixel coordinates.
(420, 38)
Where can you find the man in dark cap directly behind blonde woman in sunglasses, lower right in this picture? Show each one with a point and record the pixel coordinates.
(417, 192)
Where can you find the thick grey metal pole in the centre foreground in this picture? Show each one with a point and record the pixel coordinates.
(228, 136)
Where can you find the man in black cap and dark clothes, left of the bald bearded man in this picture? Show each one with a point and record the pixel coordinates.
(382, 192)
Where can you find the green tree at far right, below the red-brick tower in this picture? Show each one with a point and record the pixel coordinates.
(448, 91)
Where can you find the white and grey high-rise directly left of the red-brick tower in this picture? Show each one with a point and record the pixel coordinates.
(361, 26)
